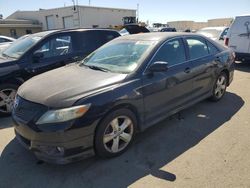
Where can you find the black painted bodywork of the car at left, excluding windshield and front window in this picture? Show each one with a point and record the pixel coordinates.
(16, 71)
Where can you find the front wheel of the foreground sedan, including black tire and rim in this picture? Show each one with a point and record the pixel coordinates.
(115, 133)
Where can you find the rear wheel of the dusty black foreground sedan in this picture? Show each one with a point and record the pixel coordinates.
(220, 87)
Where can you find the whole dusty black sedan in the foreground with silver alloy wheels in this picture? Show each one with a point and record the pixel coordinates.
(96, 106)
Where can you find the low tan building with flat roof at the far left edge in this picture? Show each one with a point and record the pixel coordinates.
(16, 28)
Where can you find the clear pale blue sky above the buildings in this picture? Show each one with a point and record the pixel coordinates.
(152, 11)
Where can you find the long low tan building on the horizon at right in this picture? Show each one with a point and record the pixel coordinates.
(183, 25)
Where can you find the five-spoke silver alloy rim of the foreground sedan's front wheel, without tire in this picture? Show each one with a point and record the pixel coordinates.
(118, 134)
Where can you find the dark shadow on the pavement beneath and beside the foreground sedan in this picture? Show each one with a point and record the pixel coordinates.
(151, 150)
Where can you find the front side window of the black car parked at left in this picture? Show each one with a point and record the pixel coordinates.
(61, 45)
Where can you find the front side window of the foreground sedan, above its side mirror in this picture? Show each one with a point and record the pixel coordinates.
(172, 52)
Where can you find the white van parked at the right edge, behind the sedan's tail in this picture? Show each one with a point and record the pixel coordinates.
(238, 37)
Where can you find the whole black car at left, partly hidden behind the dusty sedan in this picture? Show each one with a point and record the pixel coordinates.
(34, 54)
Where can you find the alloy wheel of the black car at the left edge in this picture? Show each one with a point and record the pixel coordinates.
(7, 97)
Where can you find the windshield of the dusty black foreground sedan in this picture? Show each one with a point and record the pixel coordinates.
(120, 57)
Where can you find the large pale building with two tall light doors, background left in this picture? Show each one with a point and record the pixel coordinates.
(76, 17)
